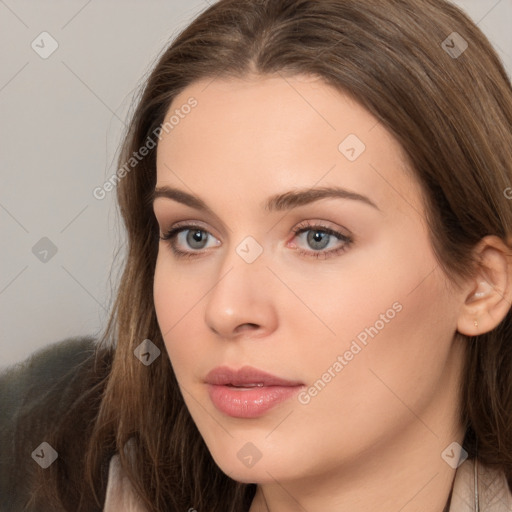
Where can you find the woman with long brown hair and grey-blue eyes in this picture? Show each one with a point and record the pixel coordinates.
(315, 312)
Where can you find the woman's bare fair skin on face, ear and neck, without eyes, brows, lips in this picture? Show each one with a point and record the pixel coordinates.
(372, 439)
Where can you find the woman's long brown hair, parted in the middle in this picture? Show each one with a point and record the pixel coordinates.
(451, 113)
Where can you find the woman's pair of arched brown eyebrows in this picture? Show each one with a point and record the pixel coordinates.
(278, 202)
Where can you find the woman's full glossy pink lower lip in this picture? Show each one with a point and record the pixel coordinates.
(249, 403)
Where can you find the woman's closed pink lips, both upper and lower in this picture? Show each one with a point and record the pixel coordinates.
(248, 392)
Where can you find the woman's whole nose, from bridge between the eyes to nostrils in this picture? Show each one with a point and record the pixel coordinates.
(242, 293)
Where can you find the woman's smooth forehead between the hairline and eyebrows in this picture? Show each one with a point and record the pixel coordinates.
(268, 134)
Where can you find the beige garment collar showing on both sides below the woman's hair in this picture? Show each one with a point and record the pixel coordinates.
(493, 494)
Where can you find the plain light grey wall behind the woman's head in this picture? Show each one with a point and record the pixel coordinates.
(61, 122)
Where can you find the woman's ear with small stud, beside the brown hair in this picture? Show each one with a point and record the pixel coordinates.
(489, 296)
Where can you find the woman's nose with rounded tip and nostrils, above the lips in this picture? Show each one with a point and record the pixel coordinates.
(242, 302)
